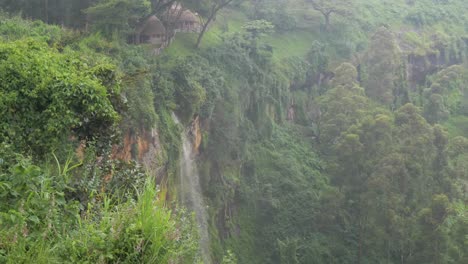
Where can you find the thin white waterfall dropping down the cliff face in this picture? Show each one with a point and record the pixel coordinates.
(191, 195)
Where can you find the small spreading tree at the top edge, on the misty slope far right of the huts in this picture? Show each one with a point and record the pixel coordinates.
(329, 7)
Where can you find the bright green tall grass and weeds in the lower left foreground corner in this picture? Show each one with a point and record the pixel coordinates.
(42, 222)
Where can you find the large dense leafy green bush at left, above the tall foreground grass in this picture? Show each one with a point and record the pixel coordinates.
(47, 95)
